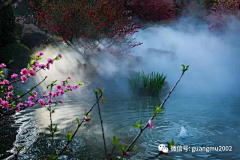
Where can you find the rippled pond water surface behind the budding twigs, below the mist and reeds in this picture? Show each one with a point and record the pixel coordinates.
(187, 126)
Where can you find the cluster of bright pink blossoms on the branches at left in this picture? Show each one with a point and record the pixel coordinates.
(12, 101)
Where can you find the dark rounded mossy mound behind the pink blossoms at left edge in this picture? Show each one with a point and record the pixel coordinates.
(19, 53)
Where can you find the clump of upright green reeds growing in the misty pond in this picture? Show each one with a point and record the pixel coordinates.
(148, 84)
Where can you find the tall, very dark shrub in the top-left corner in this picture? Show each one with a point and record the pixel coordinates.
(7, 26)
